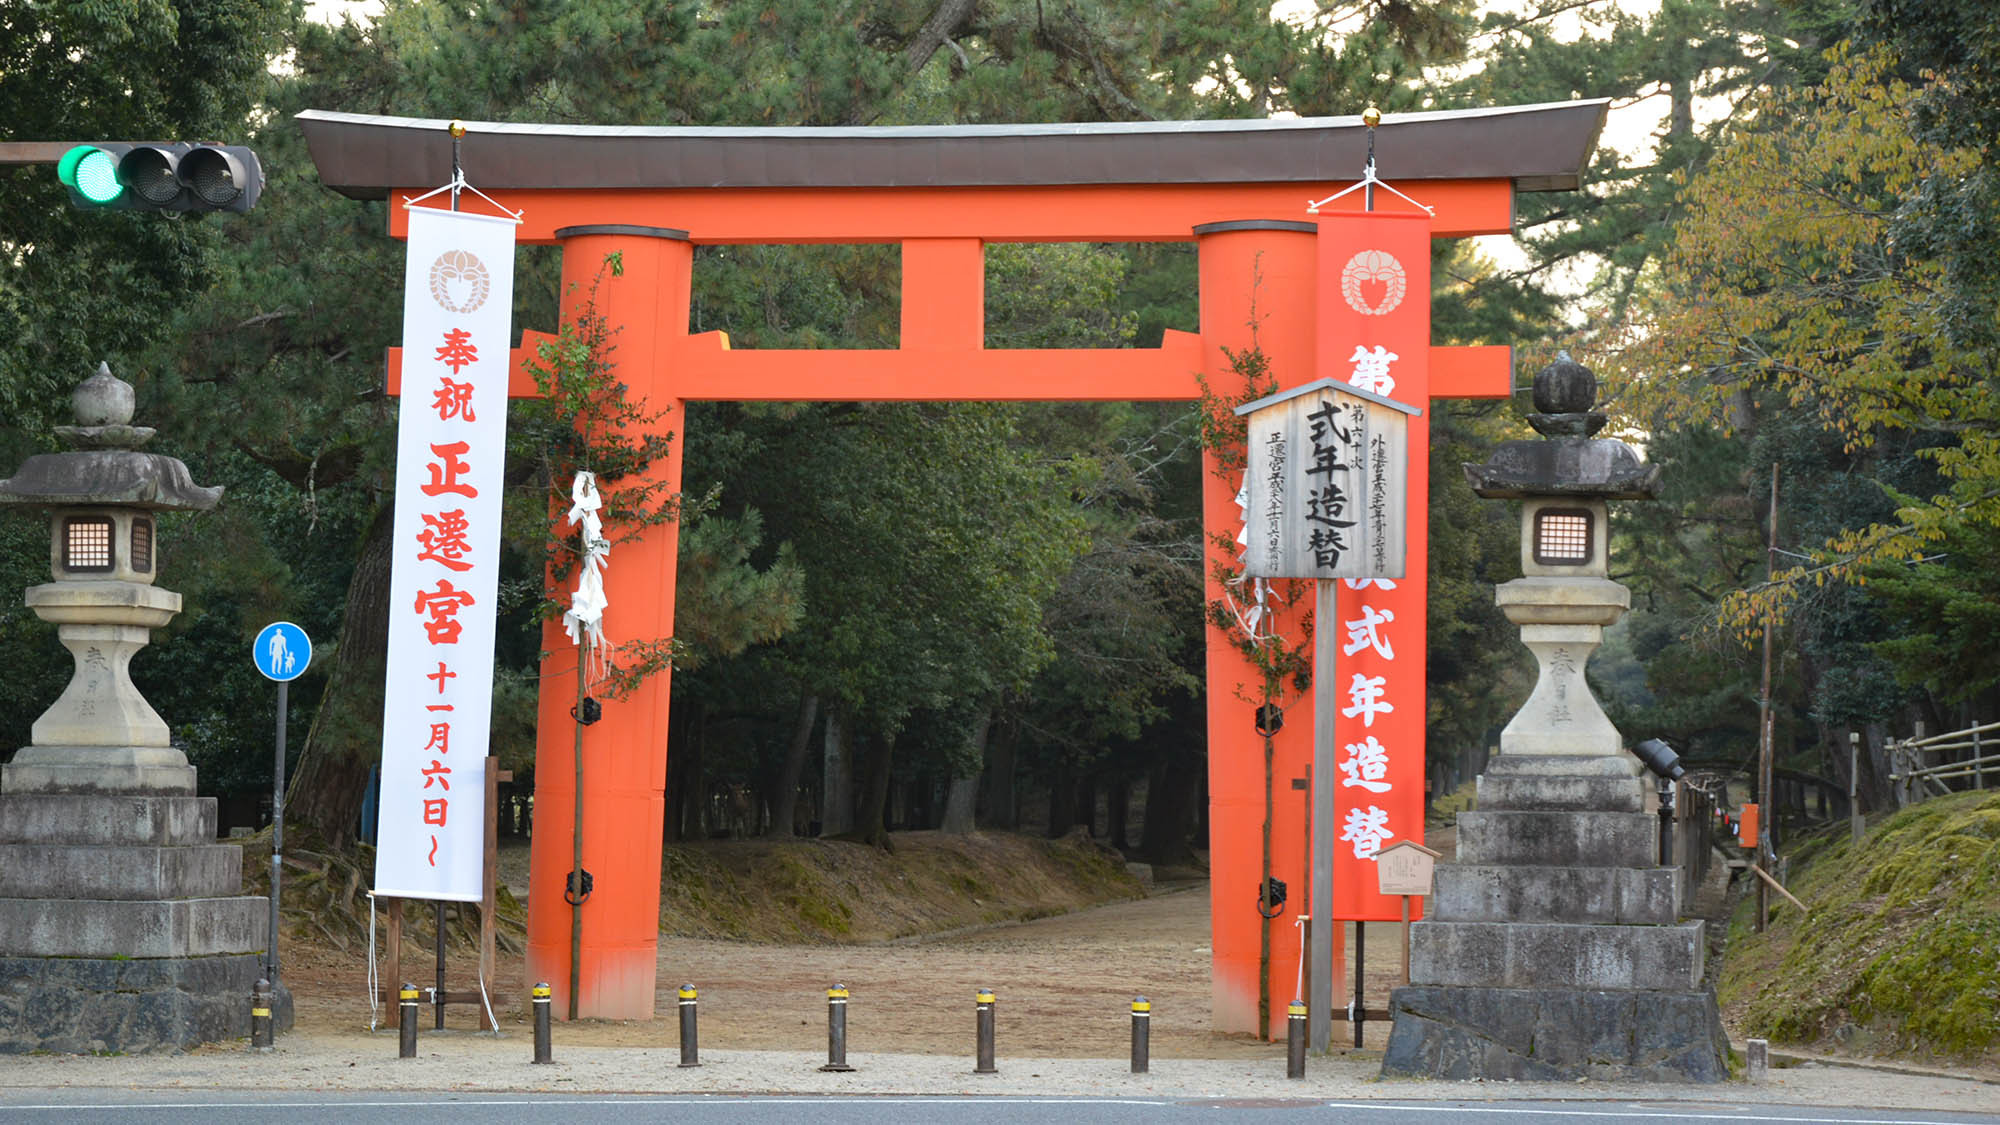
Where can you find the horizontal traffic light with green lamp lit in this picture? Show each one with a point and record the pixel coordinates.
(121, 175)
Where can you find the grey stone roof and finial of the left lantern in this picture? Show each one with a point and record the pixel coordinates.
(107, 465)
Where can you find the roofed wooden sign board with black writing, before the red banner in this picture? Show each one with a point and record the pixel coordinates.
(1327, 483)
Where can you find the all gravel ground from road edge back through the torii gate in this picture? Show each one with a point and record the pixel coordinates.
(1065, 988)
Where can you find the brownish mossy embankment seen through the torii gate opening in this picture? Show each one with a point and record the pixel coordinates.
(831, 892)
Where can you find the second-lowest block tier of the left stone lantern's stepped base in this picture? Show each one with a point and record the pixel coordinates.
(123, 928)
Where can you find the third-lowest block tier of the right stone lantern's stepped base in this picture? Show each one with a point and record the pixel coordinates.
(1495, 894)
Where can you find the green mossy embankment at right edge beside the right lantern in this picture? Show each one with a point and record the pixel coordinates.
(1901, 952)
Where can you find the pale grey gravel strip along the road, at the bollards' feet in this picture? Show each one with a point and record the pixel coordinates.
(485, 1064)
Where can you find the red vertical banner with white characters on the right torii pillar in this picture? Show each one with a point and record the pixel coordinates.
(1375, 333)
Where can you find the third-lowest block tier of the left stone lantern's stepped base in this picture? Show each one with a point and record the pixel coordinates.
(121, 872)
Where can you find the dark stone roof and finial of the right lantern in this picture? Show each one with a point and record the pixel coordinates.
(1567, 461)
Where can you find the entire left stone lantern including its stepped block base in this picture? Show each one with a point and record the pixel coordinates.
(123, 922)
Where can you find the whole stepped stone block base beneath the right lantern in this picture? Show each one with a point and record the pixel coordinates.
(1555, 948)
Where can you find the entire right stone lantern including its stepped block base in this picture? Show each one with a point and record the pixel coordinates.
(1555, 948)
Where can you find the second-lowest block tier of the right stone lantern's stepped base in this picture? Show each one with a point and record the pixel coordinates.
(1557, 956)
